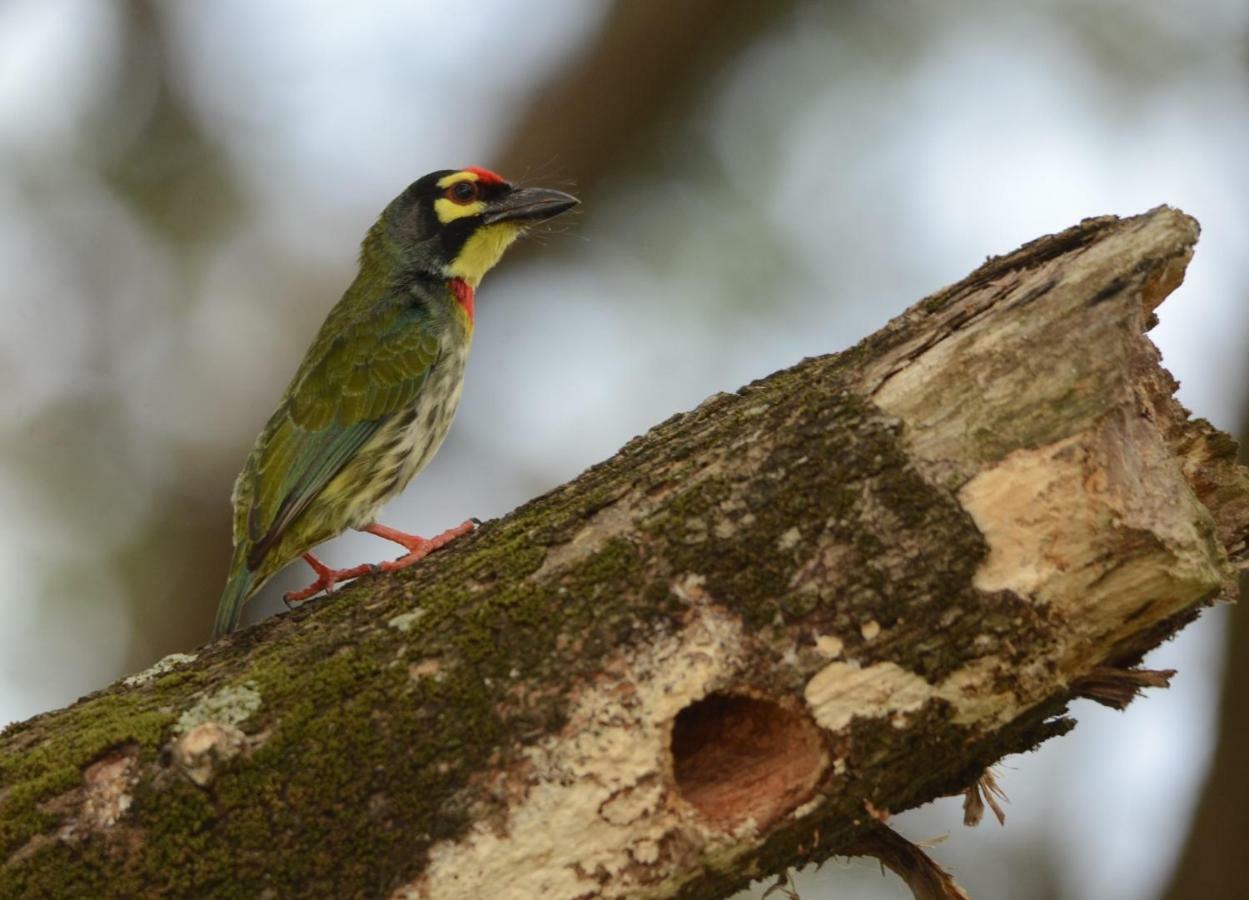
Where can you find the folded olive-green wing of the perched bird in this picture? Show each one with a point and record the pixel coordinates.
(359, 374)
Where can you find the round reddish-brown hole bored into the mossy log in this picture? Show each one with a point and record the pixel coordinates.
(738, 758)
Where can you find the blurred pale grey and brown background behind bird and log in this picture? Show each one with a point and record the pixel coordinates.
(183, 192)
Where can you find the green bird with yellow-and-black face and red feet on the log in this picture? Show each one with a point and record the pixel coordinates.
(377, 393)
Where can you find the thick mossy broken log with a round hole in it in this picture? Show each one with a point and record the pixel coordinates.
(733, 648)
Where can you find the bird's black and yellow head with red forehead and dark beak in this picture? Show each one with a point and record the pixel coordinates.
(457, 224)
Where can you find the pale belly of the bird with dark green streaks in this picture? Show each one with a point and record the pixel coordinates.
(403, 448)
